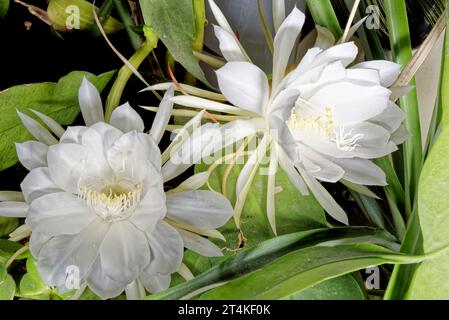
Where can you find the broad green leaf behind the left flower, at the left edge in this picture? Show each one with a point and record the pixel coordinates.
(57, 100)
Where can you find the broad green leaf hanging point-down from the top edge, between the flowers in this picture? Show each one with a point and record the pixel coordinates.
(174, 23)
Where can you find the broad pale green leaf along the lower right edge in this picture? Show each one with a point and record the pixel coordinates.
(430, 279)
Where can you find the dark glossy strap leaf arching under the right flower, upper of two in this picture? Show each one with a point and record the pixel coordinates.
(255, 258)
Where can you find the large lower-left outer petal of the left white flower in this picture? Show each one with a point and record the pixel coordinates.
(61, 254)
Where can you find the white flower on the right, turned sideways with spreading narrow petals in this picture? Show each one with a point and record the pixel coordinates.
(322, 121)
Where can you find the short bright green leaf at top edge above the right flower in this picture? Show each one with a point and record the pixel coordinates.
(324, 15)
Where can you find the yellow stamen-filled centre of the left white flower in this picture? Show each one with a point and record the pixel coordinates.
(113, 202)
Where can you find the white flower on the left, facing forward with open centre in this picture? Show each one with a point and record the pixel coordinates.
(95, 200)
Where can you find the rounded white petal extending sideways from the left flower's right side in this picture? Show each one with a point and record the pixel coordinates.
(199, 208)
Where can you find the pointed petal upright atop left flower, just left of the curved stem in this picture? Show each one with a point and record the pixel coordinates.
(90, 103)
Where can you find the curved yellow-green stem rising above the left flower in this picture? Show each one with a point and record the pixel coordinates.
(125, 73)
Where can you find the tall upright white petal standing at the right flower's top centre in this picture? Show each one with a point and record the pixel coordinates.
(284, 42)
